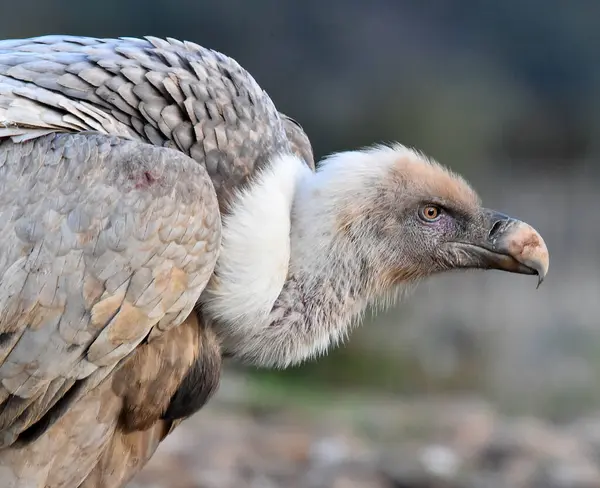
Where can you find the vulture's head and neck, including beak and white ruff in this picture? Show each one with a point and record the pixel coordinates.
(304, 253)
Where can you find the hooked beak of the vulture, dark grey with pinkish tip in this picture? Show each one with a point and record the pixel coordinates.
(508, 245)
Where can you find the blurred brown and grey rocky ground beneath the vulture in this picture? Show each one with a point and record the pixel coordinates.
(251, 436)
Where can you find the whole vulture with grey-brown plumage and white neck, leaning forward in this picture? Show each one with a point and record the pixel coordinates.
(157, 212)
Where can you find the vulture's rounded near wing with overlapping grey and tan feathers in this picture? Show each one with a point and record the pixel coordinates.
(106, 242)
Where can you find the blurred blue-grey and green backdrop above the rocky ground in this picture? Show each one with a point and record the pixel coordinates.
(505, 92)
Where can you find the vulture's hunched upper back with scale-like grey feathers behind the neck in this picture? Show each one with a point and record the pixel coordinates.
(165, 92)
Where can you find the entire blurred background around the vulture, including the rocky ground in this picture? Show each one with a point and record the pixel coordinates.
(474, 381)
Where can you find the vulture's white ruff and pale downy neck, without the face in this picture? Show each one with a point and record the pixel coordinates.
(287, 285)
